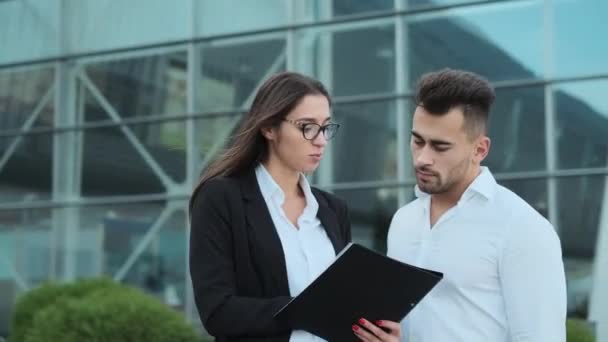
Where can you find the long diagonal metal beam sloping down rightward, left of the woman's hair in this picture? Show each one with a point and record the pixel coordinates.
(139, 147)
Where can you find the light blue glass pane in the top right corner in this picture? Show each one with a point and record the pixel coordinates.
(579, 29)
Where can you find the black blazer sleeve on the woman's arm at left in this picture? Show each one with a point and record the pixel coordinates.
(212, 269)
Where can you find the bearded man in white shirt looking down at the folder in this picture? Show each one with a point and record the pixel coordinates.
(503, 270)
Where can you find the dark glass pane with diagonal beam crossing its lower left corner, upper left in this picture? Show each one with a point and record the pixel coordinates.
(151, 85)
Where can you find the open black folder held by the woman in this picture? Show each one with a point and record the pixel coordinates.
(359, 283)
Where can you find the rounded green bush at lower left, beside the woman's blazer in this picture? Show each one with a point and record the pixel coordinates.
(97, 310)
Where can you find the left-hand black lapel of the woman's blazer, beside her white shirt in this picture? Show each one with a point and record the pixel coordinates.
(268, 252)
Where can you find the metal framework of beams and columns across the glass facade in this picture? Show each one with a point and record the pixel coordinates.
(71, 78)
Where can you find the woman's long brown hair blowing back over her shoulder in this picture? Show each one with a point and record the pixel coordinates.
(273, 101)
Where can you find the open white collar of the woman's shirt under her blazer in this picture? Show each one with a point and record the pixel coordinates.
(270, 189)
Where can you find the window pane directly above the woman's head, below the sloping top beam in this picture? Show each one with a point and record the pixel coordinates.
(362, 59)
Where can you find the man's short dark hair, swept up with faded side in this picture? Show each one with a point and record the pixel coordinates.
(438, 92)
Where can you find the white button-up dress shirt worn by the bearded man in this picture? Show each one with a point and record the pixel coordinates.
(502, 264)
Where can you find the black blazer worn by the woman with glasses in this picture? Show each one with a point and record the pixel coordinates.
(237, 263)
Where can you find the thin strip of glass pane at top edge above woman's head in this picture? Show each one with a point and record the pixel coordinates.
(313, 10)
